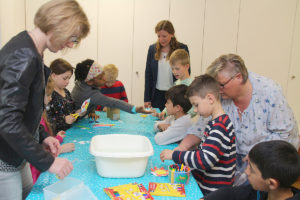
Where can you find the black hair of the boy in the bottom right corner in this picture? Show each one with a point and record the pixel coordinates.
(277, 159)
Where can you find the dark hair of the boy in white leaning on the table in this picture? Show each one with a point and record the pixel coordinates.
(176, 94)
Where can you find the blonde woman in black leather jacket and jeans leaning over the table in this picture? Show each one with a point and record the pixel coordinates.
(59, 24)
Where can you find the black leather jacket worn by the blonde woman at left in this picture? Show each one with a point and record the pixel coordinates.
(22, 85)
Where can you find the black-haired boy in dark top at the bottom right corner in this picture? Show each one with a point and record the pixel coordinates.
(273, 166)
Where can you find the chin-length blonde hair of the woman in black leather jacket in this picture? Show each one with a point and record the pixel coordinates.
(64, 18)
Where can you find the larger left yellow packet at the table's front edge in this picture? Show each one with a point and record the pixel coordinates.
(128, 191)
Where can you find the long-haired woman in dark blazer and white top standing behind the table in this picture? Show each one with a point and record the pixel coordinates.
(158, 73)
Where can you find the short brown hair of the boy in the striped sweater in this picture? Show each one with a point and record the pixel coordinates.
(202, 85)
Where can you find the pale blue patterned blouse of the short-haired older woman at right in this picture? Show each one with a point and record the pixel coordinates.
(268, 117)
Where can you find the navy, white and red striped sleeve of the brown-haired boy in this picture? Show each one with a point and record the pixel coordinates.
(213, 148)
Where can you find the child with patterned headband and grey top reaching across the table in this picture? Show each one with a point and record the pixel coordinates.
(89, 76)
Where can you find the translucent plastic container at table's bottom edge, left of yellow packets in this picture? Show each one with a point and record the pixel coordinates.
(68, 189)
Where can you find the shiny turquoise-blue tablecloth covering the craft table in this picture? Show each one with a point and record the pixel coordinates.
(84, 162)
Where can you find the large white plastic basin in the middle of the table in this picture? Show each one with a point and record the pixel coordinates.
(121, 155)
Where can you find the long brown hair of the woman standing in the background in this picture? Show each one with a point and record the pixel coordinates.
(174, 44)
